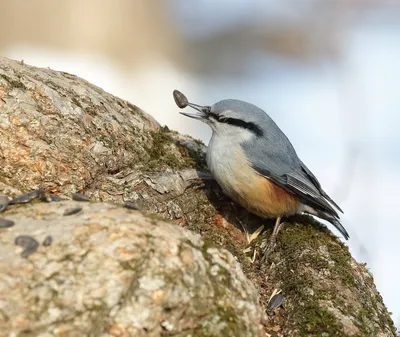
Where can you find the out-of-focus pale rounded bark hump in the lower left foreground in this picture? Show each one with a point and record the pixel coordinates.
(114, 272)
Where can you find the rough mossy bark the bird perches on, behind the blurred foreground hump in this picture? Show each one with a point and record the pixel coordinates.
(63, 134)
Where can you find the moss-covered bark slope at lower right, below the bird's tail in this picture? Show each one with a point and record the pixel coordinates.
(313, 268)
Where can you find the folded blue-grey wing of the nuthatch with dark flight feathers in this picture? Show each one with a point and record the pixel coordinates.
(278, 162)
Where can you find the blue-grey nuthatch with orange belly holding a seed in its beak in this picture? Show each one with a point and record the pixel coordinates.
(256, 165)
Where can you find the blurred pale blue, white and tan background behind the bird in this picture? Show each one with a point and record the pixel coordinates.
(327, 71)
